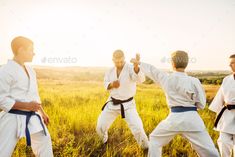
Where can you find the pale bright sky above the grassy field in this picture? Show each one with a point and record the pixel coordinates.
(85, 33)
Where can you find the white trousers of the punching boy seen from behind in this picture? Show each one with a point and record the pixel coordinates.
(200, 141)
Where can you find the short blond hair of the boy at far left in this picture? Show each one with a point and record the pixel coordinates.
(18, 42)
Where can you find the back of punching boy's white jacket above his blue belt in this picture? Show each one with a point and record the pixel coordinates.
(183, 90)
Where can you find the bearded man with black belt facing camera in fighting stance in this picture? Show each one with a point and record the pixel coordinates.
(120, 81)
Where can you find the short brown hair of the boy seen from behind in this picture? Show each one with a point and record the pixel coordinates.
(180, 59)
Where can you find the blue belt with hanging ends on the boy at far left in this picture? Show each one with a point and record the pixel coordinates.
(28, 115)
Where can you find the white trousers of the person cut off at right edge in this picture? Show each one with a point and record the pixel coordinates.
(226, 143)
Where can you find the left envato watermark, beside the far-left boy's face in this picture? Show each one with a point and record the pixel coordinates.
(59, 60)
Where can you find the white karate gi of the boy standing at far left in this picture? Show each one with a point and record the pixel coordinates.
(15, 85)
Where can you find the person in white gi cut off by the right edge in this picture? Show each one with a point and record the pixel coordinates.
(224, 104)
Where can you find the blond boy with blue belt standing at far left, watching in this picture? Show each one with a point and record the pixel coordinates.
(22, 114)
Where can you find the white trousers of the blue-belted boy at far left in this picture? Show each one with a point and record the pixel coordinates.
(41, 144)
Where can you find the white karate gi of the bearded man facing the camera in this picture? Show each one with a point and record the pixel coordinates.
(126, 90)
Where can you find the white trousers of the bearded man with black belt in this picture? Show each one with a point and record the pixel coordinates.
(133, 120)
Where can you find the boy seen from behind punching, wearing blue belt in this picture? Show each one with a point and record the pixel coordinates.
(184, 95)
